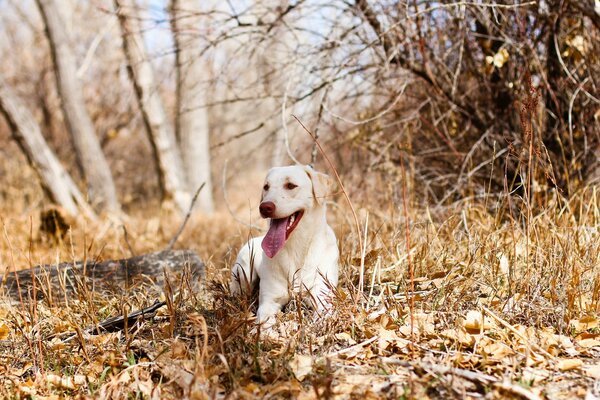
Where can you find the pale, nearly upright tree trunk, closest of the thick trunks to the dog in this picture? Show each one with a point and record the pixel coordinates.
(192, 119)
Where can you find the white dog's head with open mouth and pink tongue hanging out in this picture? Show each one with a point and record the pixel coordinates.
(288, 193)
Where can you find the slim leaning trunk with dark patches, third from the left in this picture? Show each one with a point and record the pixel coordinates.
(160, 132)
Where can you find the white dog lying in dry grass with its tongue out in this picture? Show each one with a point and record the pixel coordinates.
(299, 253)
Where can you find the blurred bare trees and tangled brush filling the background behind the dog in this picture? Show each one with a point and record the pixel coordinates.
(474, 99)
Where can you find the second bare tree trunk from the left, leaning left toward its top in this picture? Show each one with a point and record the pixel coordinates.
(91, 160)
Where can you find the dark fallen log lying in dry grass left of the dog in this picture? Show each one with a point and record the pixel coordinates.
(58, 280)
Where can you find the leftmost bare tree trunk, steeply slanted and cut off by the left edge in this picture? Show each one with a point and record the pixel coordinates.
(54, 179)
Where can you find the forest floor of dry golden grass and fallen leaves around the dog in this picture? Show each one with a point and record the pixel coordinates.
(495, 308)
